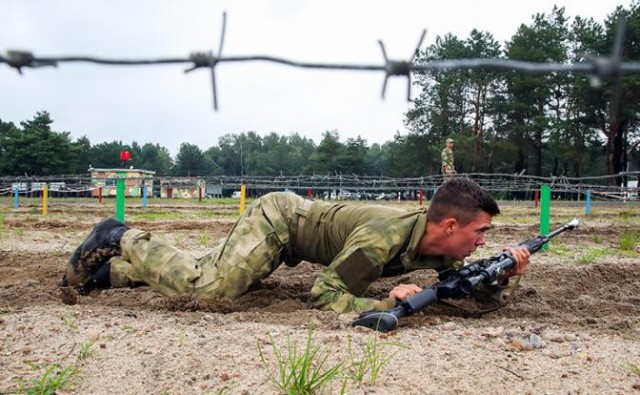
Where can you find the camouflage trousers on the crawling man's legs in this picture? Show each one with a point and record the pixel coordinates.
(258, 243)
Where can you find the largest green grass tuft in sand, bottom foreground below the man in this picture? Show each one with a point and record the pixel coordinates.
(301, 371)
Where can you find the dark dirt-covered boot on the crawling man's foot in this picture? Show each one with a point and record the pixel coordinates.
(102, 244)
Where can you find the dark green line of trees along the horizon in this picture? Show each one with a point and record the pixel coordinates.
(570, 124)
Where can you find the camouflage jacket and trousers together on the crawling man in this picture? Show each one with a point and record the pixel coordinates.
(357, 244)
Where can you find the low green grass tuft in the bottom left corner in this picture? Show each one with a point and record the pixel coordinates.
(50, 379)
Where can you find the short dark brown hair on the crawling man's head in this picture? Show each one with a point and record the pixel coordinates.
(462, 199)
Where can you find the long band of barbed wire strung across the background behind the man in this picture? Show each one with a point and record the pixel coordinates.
(599, 186)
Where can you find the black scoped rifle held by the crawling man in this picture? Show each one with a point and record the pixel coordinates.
(454, 284)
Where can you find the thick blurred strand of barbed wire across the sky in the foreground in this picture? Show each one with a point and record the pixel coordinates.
(599, 68)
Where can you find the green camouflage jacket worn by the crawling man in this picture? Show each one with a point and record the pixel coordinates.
(359, 244)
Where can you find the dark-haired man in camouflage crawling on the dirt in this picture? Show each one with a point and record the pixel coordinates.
(357, 244)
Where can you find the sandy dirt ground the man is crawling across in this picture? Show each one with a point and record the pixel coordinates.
(572, 327)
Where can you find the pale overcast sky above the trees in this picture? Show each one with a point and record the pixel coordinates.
(161, 104)
